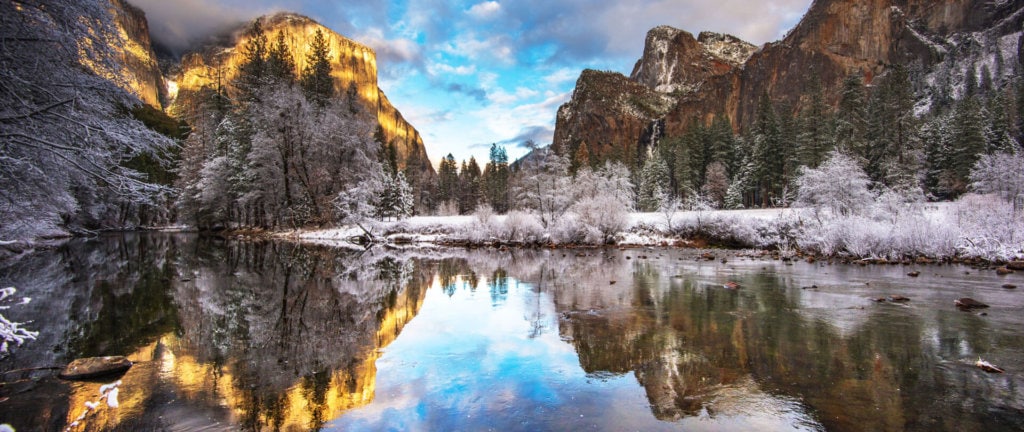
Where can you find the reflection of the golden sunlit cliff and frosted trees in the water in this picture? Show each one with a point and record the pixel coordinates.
(307, 328)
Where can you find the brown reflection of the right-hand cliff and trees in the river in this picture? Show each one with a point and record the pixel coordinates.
(701, 351)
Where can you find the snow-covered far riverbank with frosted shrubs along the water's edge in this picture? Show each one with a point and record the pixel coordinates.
(977, 228)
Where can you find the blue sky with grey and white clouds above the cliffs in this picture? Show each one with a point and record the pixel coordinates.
(468, 74)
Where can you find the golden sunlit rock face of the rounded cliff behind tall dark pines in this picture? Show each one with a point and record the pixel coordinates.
(354, 67)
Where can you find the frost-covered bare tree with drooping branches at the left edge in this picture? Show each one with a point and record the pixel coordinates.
(66, 129)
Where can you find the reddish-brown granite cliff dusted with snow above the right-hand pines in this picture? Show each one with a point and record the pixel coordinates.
(690, 78)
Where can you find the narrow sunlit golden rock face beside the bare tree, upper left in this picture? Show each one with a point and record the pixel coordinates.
(142, 74)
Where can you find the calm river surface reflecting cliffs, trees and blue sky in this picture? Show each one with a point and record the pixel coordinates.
(275, 336)
